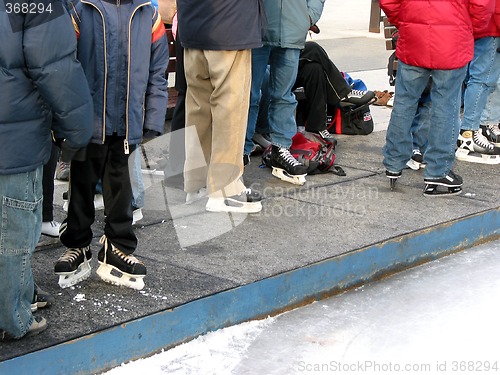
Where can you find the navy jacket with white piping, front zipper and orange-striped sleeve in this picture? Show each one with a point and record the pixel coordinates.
(123, 49)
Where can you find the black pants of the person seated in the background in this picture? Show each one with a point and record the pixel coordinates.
(323, 84)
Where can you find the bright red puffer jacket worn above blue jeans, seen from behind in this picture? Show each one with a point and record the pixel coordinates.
(437, 34)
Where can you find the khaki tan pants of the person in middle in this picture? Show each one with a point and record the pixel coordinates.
(217, 101)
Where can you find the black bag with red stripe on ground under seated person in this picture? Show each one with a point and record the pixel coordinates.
(350, 120)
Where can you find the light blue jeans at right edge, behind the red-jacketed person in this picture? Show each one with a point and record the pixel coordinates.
(484, 70)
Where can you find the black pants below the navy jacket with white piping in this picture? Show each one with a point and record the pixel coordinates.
(110, 163)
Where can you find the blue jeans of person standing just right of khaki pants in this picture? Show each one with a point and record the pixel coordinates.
(283, 68)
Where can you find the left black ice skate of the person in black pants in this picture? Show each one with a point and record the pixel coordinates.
(73, 266)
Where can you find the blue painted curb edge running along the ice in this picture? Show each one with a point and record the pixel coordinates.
(142, 337)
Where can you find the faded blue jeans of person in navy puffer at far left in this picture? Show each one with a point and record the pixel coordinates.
(21, 224)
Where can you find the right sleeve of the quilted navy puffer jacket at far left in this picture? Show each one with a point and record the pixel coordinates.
(49, 46)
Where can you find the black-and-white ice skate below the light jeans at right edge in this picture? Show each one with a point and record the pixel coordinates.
(474, 147)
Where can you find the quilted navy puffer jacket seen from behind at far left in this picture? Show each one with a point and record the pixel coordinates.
(39, 75)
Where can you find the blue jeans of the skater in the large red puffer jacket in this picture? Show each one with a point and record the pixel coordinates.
(443, 124)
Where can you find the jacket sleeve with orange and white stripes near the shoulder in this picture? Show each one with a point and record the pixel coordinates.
(157, 92)
